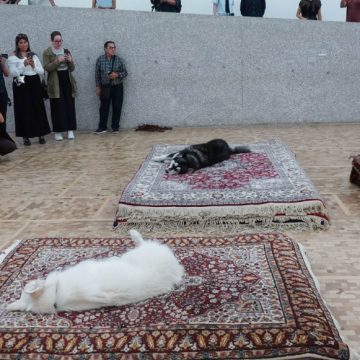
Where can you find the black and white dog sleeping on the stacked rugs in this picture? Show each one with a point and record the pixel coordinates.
(195, 157)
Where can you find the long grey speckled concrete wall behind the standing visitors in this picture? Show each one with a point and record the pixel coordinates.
(187, 70)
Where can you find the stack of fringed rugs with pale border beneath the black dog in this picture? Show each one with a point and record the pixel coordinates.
(264, 188)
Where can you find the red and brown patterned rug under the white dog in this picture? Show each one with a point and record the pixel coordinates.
(247, 296)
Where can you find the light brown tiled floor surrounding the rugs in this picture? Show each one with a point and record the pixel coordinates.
(71, 189)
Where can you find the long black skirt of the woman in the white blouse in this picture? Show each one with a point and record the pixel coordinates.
(30, 114)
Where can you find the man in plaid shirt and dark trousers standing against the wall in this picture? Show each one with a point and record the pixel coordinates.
(109, 73)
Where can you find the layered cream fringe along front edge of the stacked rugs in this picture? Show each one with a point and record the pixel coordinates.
(227, 219)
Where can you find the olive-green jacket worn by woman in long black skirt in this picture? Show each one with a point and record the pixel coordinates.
(50, 65)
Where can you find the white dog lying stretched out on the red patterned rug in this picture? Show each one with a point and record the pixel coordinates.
(148, 270)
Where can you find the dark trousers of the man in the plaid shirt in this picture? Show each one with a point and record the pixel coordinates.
(116, 98)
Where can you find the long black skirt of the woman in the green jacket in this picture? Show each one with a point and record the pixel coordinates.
(63, 114)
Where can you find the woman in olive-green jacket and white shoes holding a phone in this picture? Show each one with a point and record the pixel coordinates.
(59, 64)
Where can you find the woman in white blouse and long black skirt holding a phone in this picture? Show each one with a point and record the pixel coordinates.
(30, 114)
